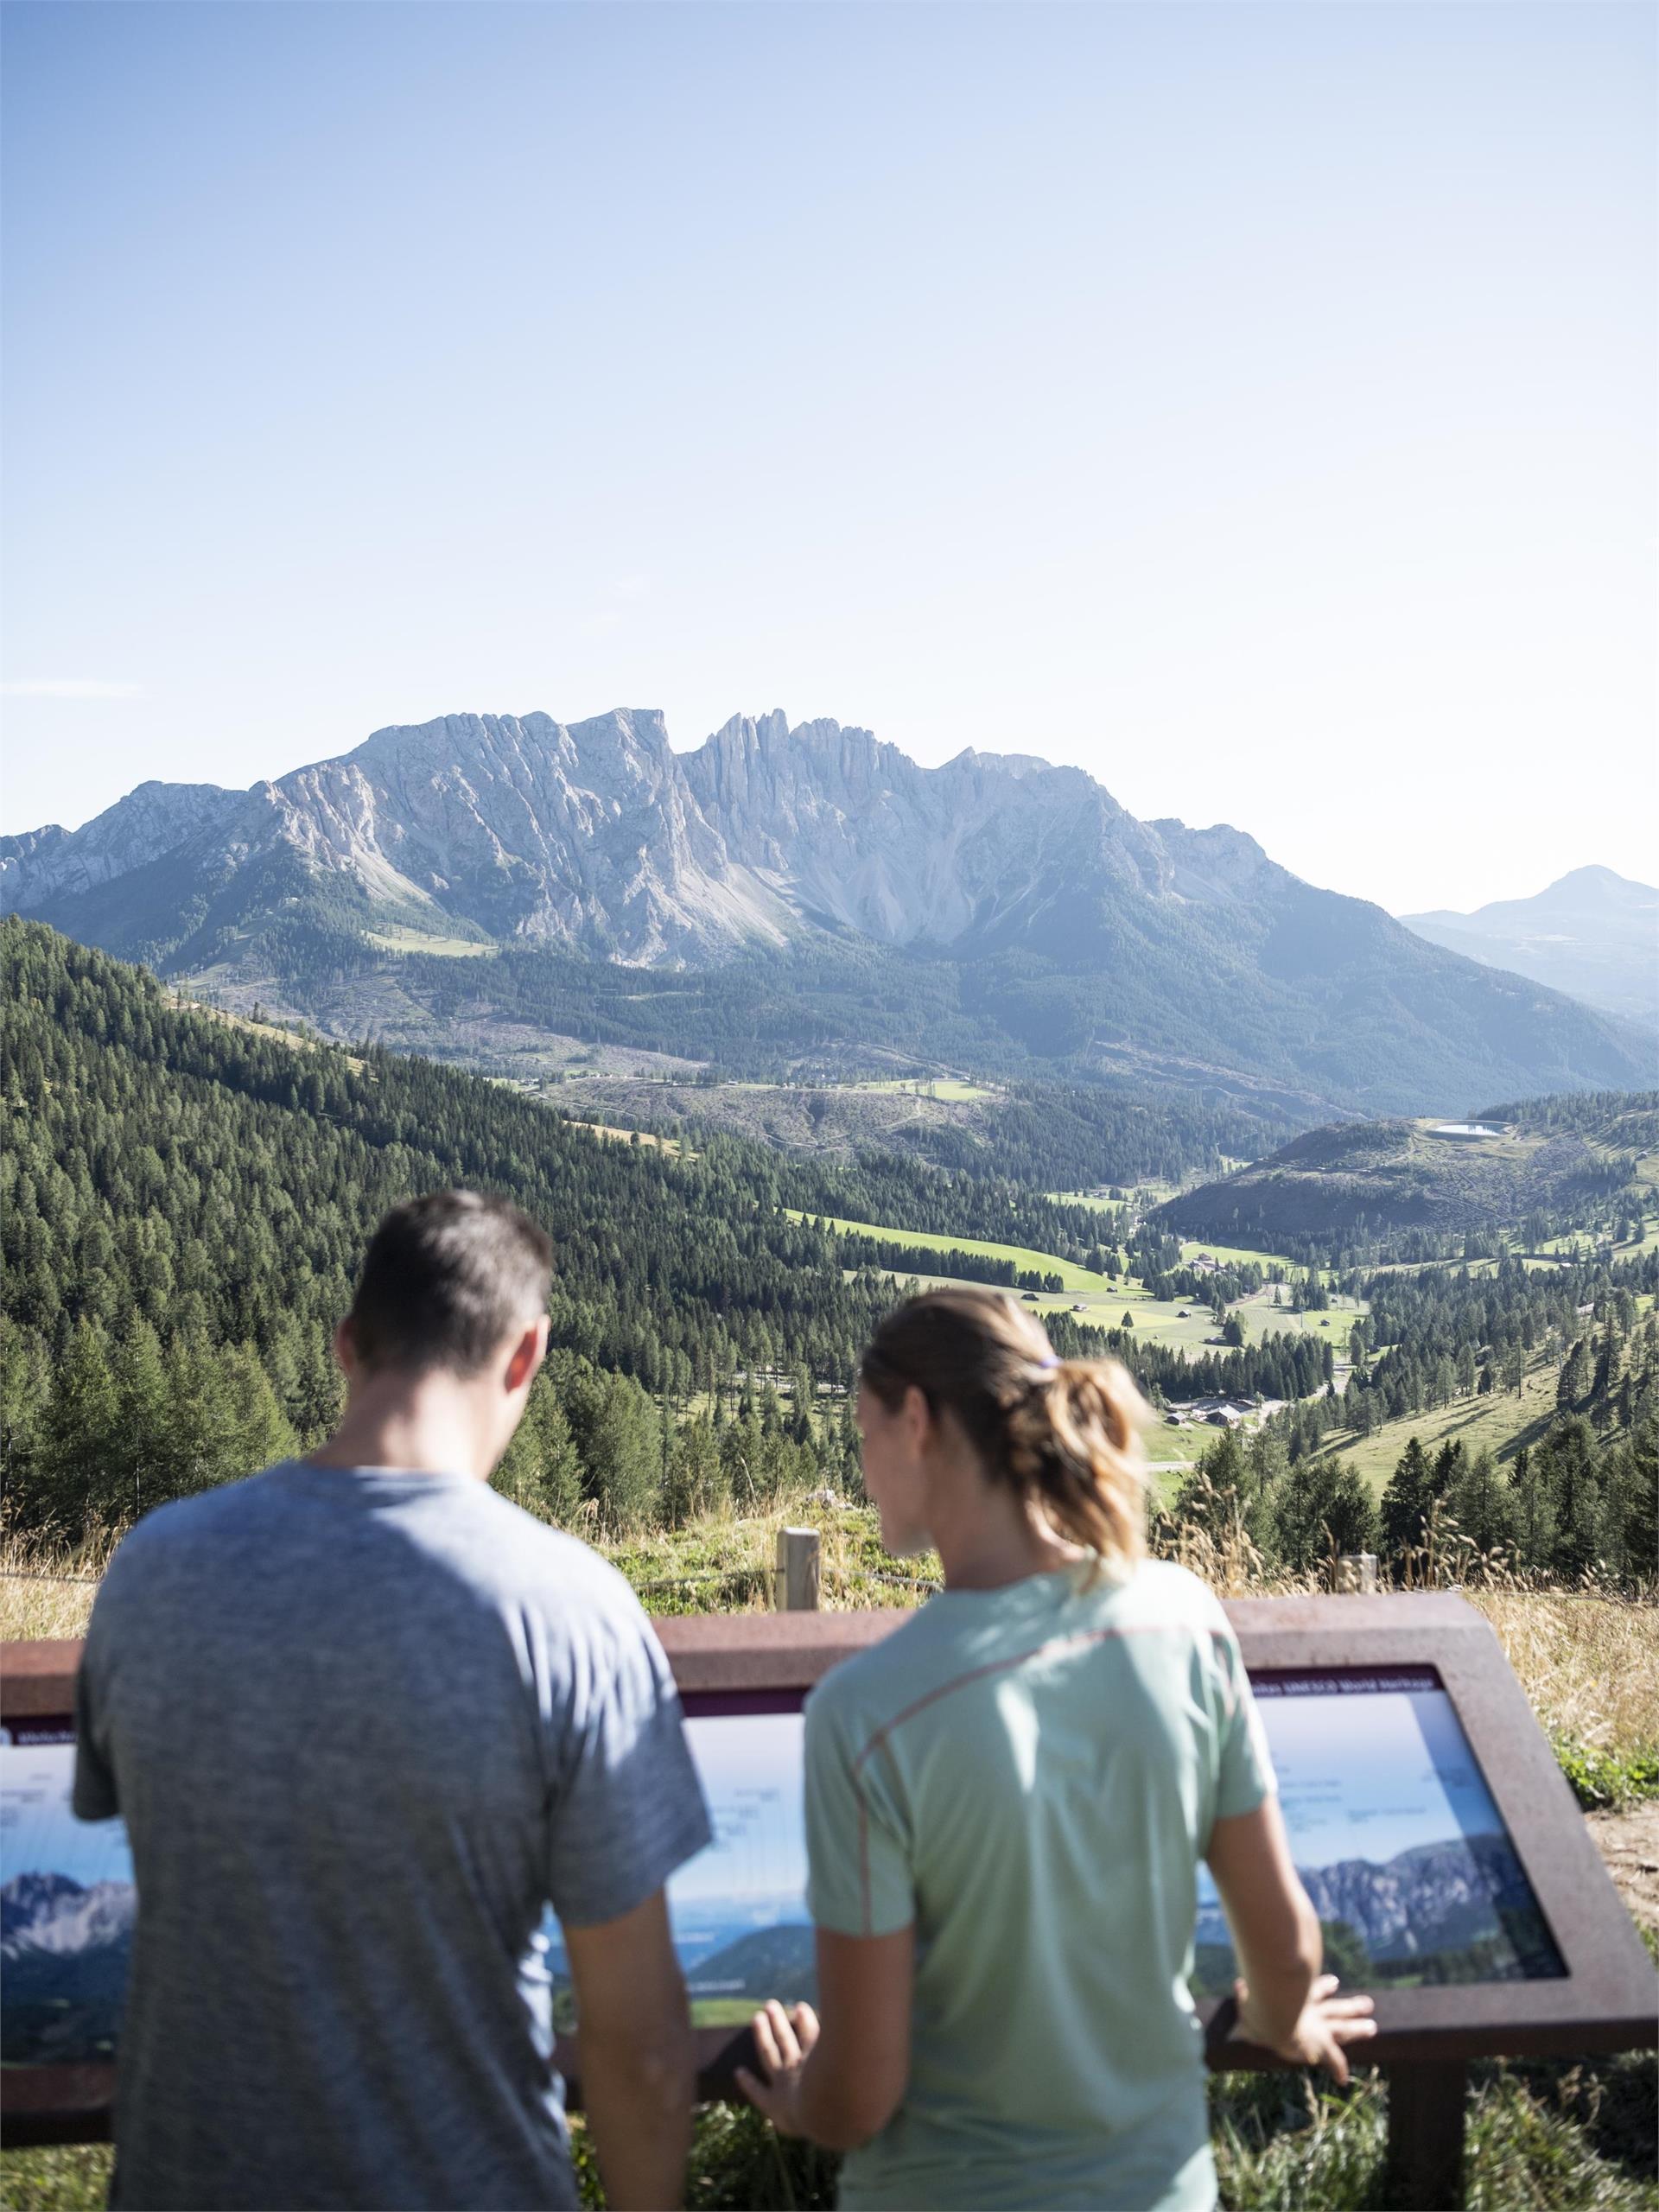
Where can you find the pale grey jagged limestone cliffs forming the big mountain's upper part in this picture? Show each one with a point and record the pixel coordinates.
(603, 839)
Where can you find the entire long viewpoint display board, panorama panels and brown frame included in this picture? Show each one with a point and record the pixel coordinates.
(1446, 1857)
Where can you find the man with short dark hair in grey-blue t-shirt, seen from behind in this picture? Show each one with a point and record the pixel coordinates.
(366, 1720)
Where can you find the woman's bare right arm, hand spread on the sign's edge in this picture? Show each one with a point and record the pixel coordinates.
(1284, 1999)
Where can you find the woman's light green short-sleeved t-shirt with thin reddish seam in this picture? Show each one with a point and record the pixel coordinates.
(1032, 1775)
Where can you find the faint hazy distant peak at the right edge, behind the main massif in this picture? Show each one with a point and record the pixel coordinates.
(1592, 935)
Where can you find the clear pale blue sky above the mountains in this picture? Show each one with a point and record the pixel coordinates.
(1253, 406)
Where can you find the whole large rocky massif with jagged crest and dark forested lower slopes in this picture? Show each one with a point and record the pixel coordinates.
(784, 899)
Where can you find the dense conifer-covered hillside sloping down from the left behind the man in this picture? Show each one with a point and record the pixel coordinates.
(187, 1200)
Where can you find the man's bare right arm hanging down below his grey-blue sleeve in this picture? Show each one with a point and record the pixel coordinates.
(638, 2069)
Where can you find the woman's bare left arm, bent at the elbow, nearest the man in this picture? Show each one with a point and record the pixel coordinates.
(839, 2083)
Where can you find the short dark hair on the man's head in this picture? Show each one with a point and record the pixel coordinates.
(446, 1282)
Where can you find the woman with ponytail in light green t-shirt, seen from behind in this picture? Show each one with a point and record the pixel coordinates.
(1008, 1804)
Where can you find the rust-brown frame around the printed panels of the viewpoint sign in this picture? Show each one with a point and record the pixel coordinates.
(1609, 1999)
